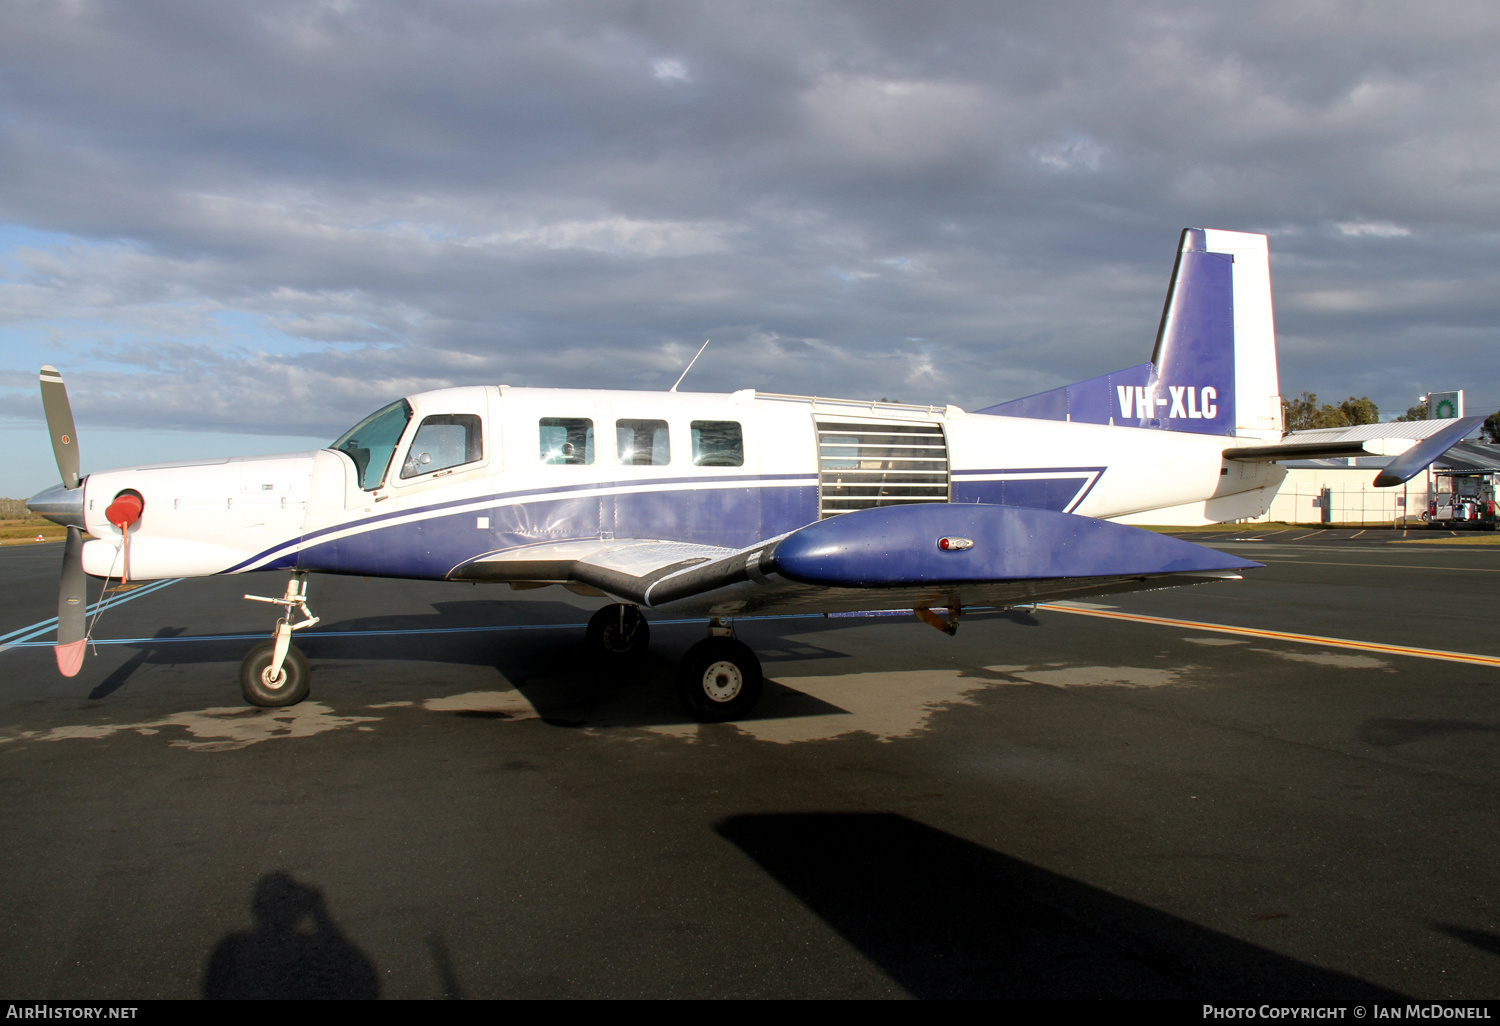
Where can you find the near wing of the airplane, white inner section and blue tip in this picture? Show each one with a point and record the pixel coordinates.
(902, 557)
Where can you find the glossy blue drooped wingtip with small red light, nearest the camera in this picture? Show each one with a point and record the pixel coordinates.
(953, 544)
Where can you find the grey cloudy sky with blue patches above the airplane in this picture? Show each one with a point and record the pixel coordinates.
(239, 227)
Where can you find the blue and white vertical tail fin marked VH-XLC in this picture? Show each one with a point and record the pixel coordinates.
(1214, 368)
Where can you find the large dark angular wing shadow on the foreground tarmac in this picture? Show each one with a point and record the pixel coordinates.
(949, 919)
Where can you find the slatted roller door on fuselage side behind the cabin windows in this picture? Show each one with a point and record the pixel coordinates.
(880, 464)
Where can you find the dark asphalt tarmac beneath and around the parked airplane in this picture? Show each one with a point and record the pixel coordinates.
(1049, 805)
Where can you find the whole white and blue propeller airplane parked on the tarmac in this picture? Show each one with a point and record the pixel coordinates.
(719, 506)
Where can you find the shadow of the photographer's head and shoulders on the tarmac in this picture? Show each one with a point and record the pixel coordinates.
(296, 950)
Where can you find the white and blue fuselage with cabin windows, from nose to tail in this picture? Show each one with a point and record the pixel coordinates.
(448, 478)
